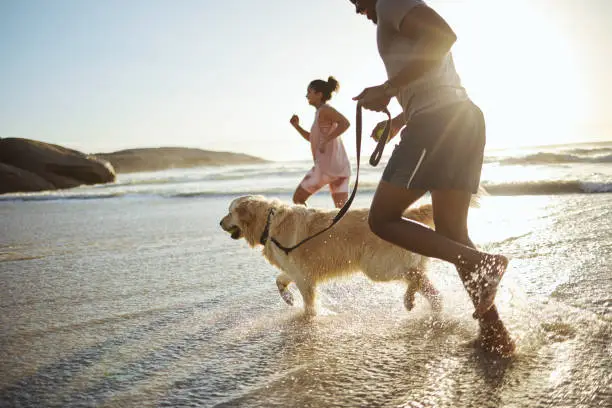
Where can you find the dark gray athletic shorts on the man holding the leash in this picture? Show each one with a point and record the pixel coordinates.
(440, 150)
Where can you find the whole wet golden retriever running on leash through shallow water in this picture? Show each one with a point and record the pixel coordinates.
(345, 249)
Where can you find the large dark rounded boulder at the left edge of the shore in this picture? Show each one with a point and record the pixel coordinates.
(30, 165)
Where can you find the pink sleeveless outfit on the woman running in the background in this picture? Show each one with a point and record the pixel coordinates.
(332, 166)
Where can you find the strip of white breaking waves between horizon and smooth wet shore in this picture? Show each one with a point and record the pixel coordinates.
(567, 169)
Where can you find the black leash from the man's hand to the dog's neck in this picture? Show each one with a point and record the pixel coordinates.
(374, 160)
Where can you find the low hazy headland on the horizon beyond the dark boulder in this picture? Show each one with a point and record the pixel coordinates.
(162, 158)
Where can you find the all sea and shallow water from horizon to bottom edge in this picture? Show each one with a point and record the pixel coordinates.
(130, 295)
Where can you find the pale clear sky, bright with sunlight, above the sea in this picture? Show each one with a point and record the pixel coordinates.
(227, 75)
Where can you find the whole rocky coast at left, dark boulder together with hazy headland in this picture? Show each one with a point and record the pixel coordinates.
(28, 165)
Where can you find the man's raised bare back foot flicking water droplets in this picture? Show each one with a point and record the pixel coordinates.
(488, 275)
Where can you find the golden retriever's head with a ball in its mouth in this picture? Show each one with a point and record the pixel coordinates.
(246, 218)
